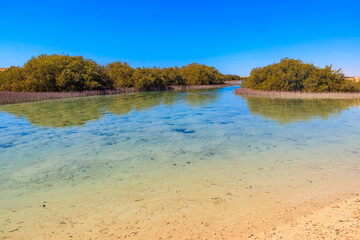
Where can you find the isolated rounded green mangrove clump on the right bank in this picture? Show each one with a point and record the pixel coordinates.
(294, 75)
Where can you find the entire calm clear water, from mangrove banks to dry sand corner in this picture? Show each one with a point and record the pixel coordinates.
(179, 164)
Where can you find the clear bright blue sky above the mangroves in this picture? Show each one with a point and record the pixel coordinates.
(233, 36)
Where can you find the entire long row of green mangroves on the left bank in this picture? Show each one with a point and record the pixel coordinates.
(64, 73)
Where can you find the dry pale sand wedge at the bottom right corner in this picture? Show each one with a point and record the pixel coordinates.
(338, 221)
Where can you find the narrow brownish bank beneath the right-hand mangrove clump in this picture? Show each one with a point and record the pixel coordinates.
(302, 95)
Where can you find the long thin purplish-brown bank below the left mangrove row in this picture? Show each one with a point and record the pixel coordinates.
(7, 97)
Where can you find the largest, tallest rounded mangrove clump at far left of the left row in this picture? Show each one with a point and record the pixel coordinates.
(55, 73)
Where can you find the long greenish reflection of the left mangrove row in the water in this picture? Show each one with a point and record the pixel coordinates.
(76, 112)
